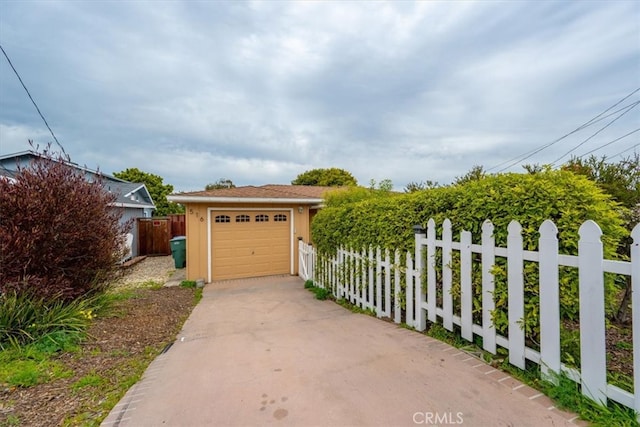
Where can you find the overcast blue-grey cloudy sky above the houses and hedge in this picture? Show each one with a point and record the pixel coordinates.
(259, 92)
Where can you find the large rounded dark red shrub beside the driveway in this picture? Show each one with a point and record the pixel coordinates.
(59, 236)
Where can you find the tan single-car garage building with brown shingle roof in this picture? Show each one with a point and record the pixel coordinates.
(241, 232)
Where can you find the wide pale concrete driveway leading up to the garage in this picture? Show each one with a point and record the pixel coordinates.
(265, 352)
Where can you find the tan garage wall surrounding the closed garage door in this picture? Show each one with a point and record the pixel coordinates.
(197, 217)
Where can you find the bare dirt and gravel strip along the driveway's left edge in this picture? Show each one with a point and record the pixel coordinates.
(116, 351)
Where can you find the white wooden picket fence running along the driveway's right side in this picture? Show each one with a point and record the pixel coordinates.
(372, 279)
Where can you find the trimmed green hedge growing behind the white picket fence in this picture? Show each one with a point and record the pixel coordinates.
(353, 219)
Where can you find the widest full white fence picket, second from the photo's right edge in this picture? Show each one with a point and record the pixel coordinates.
(592, 325)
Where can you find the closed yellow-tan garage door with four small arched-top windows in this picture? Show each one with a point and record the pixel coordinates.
(250, 244)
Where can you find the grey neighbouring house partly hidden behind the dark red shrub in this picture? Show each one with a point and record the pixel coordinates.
(133, 199)
